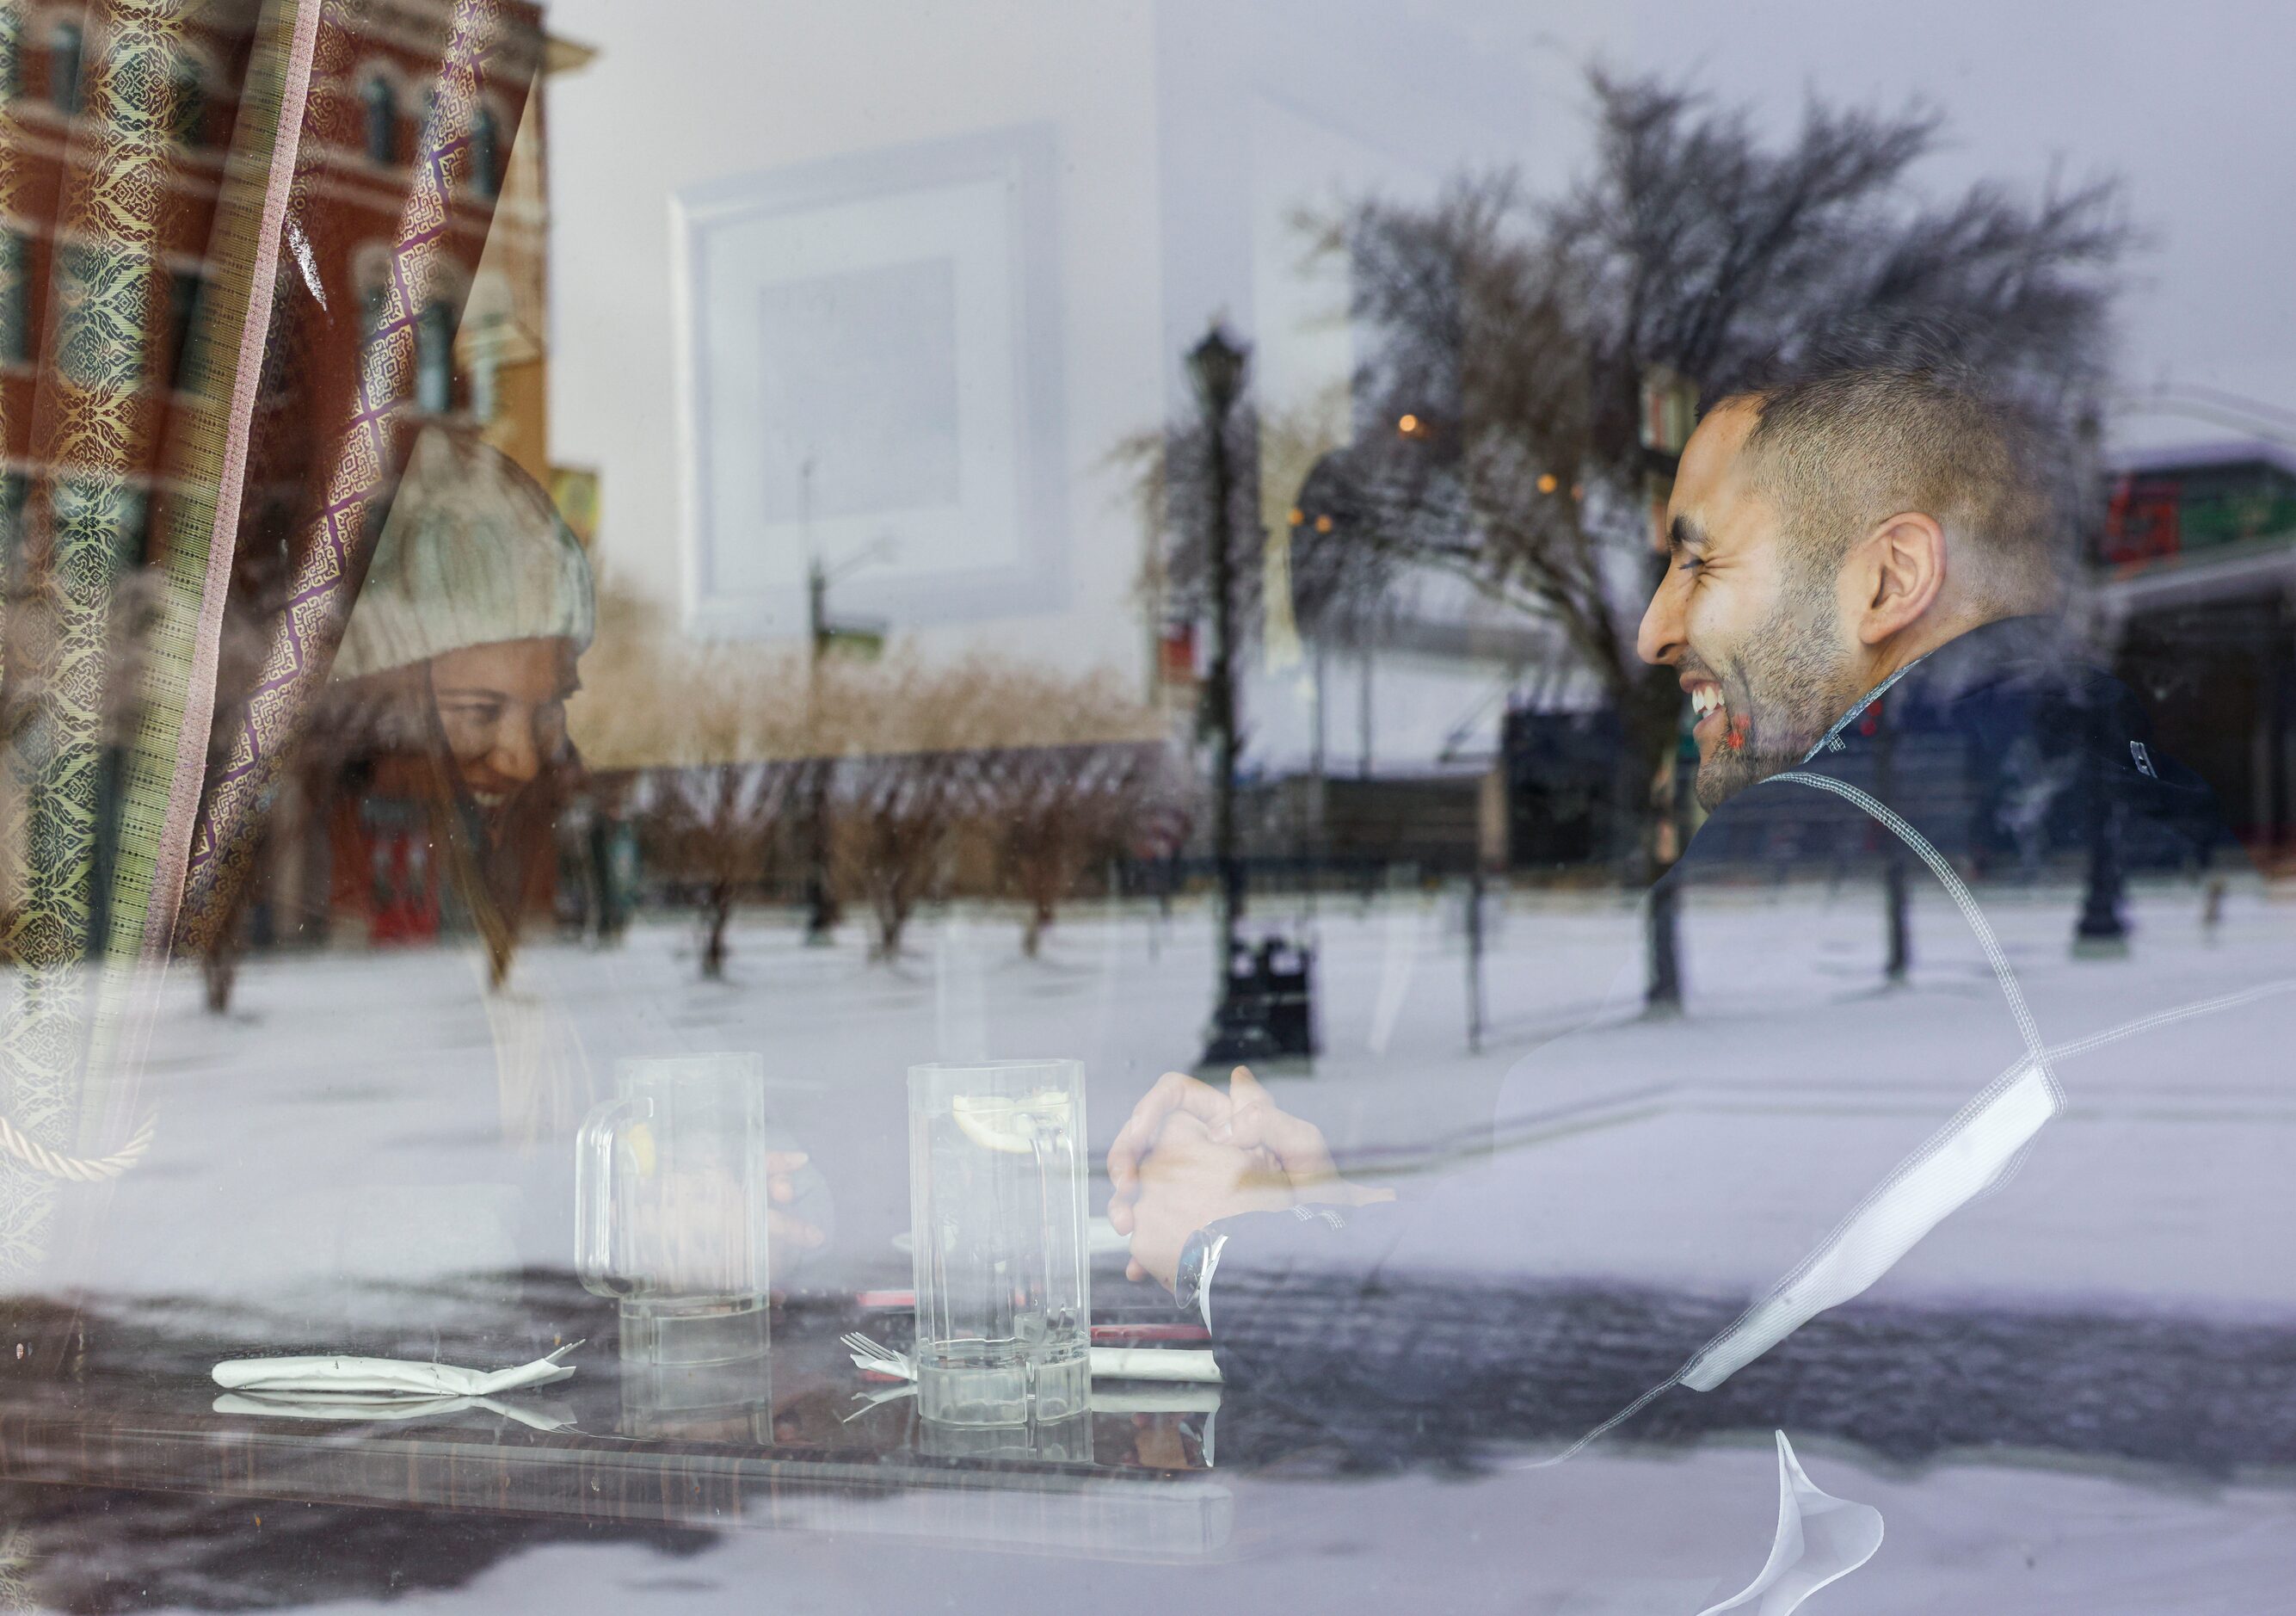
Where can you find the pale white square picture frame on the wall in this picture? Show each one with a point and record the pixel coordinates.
(871, 380)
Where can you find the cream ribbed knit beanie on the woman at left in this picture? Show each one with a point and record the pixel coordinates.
(474, 554)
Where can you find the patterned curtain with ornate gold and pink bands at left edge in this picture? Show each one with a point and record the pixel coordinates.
(217, 247)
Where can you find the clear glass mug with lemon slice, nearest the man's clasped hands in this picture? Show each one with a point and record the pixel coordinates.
(998, 1227)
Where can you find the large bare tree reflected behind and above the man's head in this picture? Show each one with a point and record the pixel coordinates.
(1514, 336)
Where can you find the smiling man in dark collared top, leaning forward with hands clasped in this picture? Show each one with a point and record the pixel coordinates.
(1856, 603)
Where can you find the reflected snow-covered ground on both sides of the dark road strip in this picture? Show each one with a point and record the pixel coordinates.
(341, 1128)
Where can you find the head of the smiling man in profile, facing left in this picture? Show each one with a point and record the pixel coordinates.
(1829, 536)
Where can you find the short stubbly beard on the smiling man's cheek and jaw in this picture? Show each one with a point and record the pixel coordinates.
(1781, 694)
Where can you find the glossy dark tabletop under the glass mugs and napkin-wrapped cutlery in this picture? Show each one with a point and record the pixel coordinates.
(784, 1443)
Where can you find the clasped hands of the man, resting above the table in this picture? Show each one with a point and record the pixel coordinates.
(1193, 1156)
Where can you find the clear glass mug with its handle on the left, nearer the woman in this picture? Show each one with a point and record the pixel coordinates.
(672, 1211)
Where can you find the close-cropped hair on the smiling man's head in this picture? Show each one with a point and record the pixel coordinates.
(1849, 449)
